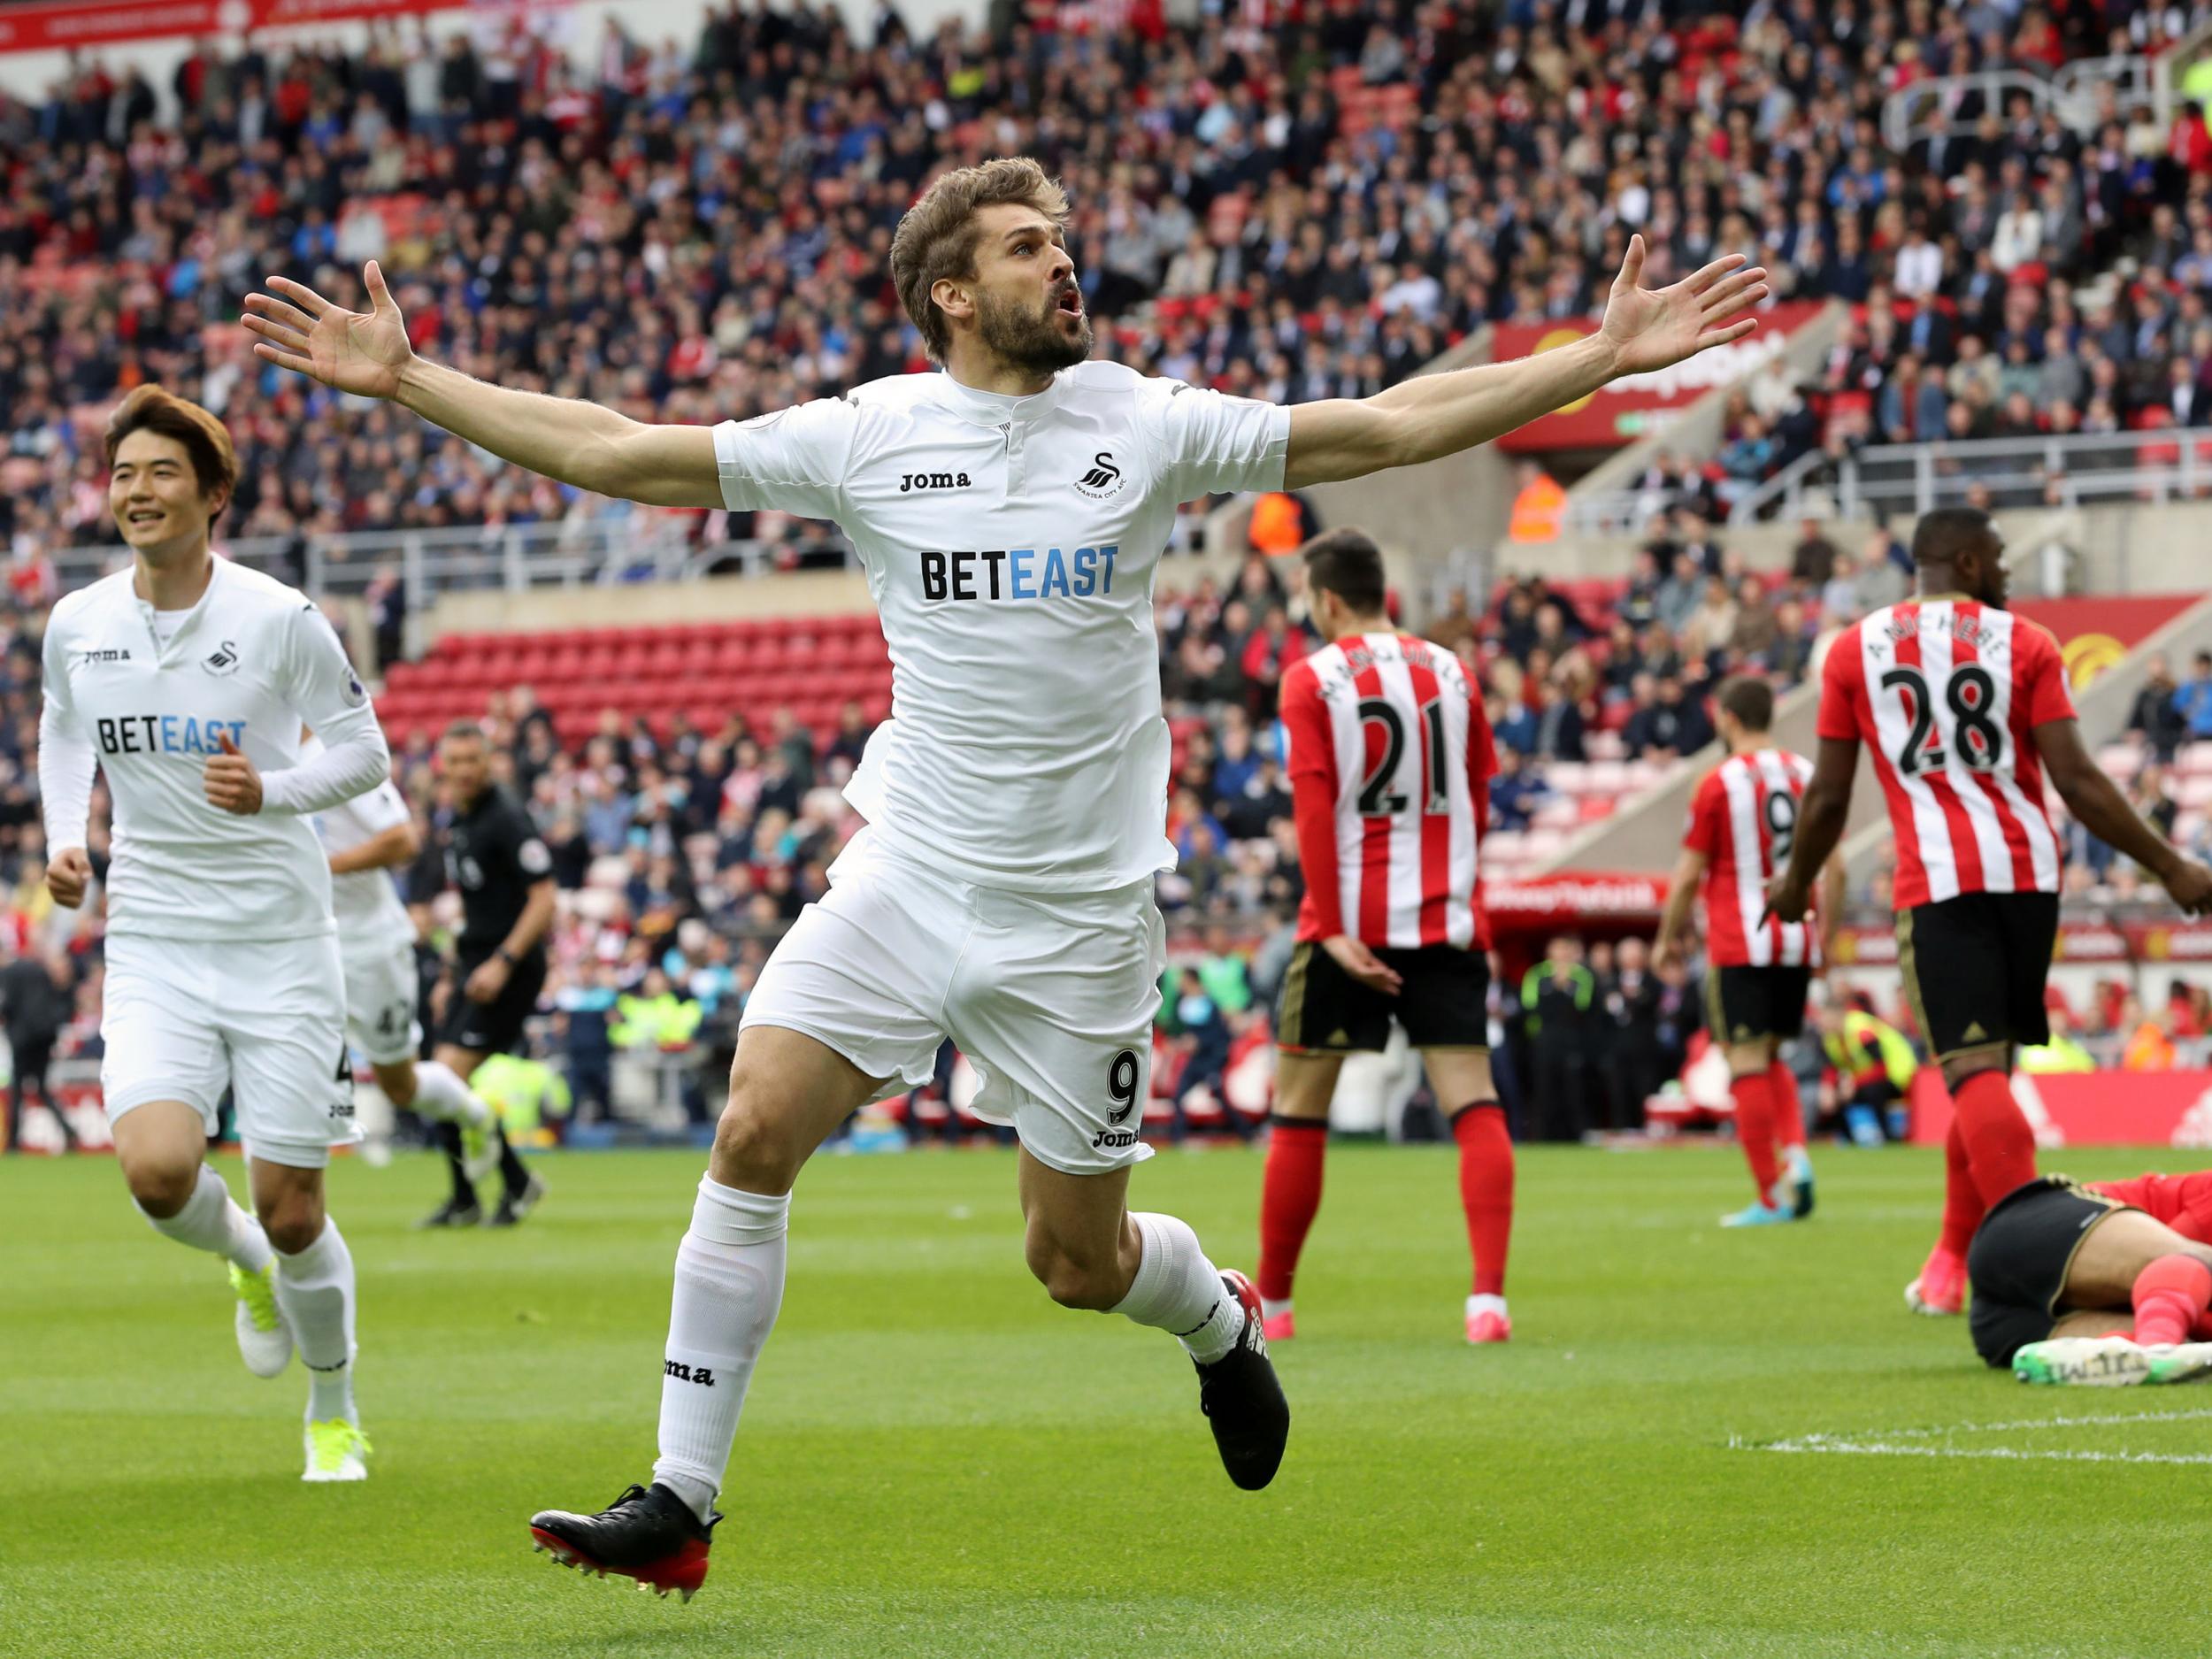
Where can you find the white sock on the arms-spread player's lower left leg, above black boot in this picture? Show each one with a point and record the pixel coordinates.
(727, 1300)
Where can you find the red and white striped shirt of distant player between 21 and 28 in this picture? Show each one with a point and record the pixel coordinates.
(1744, 820)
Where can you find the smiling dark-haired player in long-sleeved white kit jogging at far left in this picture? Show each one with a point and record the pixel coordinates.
(189, 678)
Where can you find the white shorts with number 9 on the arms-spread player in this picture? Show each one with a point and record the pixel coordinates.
(1050, 997)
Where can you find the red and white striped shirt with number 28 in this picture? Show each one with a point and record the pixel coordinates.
(1948, 693)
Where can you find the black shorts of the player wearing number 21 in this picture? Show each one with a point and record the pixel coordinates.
(1441, 1005)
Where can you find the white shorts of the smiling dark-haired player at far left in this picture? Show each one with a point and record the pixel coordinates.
(264, 1019)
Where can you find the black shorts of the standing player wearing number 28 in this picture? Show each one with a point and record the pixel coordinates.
(1976, 966)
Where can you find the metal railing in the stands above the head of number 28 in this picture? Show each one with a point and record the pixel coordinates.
(2016, 472)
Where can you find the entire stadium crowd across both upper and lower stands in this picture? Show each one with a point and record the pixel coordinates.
(1291, 202)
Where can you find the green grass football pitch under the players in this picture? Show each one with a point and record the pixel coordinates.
(937, 1461)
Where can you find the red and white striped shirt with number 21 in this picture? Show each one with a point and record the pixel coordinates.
(1390, 766)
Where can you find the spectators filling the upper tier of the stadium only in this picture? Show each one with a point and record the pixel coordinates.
(1284, 200)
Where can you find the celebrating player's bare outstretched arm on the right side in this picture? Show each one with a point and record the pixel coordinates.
(1441, 415)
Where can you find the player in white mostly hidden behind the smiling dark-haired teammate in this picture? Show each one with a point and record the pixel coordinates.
(366, 842)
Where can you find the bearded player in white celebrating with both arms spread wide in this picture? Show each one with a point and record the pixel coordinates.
(1010, 514)
